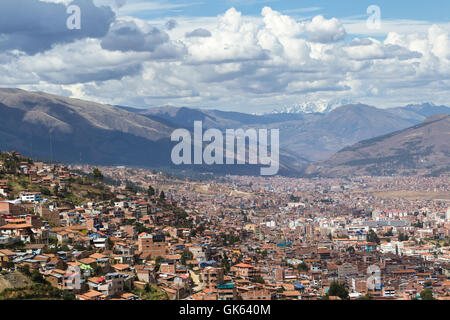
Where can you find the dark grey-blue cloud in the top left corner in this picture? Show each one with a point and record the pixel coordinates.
(33, 26)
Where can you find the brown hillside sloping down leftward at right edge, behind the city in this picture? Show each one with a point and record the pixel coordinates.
(422, 149)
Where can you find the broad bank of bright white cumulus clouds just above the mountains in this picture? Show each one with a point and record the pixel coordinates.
(235, 61)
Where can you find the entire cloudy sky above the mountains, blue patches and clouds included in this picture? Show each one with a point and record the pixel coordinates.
(251, 56)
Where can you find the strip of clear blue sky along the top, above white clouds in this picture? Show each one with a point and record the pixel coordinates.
(432, 10)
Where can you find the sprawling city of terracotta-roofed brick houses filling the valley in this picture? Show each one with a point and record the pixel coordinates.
(134, 234)
